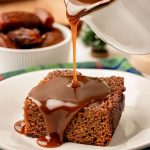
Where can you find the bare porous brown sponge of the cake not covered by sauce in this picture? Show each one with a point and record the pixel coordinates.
(95, 124)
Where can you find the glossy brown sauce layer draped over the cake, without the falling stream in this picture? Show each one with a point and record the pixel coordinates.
(58, 102)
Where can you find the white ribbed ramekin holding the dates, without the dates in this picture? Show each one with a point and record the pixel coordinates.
(15, 59)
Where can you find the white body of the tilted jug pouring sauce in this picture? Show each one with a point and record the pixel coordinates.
(124, 24)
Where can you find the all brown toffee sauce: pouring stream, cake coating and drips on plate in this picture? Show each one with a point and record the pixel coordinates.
(61, 98)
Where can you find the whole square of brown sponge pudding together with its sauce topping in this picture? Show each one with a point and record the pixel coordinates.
(54, 112)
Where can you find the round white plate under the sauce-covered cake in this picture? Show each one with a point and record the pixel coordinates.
(133, 131)
